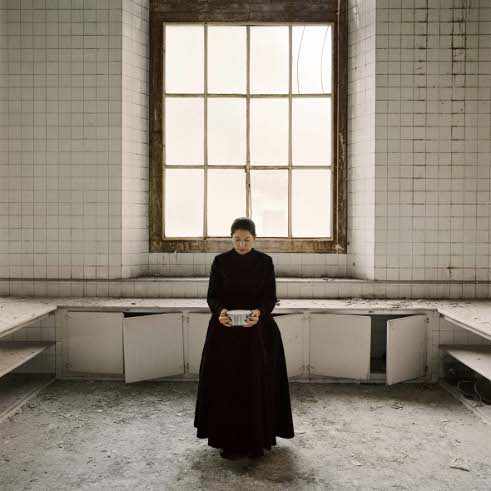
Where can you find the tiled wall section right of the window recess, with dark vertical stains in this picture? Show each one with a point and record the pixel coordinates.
(433, 92)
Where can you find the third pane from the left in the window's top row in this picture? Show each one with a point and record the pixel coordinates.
(269, 60)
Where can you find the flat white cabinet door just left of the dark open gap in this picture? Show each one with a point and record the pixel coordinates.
(340, 345)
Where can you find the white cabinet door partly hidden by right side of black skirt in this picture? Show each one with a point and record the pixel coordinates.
(292, 327)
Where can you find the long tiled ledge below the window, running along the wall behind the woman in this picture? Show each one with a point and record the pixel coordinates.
(287, 287)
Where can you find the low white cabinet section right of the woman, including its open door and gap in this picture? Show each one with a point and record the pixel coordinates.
(352, 346)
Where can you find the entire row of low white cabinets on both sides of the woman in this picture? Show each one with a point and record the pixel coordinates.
(318, 346)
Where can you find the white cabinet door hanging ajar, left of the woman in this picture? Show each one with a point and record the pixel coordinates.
(153, 346)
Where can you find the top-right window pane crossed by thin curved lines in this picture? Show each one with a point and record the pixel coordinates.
(312, 59)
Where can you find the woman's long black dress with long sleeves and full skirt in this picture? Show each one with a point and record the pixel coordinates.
(243, 398)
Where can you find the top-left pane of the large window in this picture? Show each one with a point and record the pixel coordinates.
(184, 58)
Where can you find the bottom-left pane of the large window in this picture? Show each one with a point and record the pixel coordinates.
(183, 202)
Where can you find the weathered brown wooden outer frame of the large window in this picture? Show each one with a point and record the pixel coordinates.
(280, 12)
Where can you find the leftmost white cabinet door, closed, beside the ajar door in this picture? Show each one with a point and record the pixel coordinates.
(93, 342)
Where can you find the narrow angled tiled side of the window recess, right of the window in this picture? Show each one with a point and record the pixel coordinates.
(361, 138)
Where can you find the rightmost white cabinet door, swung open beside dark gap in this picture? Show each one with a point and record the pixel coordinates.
(406, 348)
